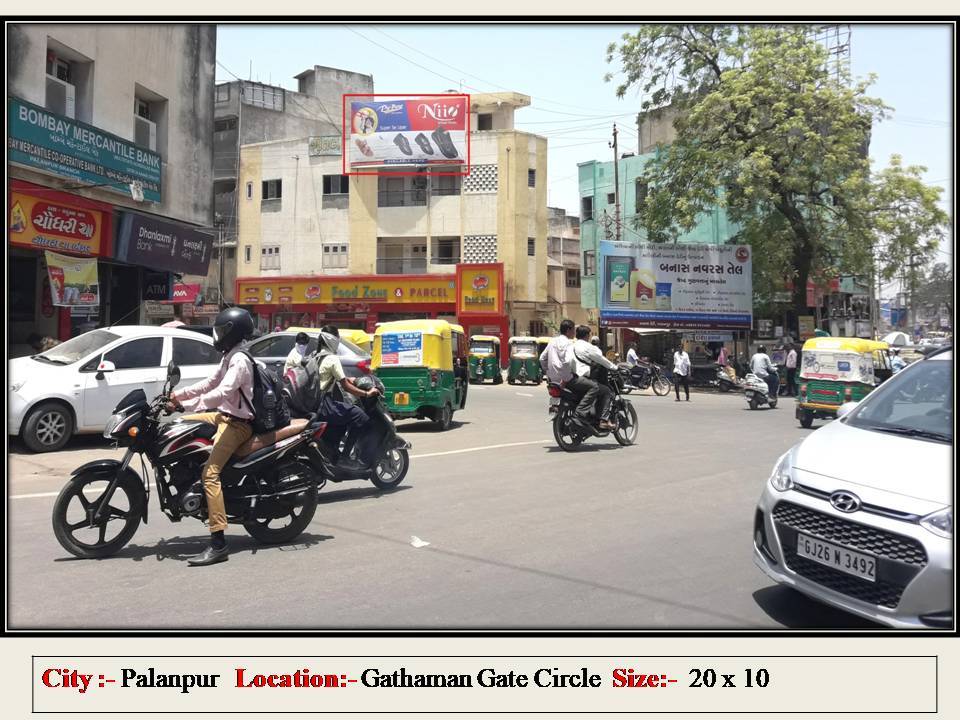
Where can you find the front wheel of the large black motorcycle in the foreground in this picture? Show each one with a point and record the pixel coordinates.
(73, 523)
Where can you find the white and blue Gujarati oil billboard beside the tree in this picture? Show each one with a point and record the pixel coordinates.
(675, 285)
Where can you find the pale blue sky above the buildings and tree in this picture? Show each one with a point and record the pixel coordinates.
(562, 68)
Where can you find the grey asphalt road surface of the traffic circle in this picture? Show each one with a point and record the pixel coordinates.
(521, 535)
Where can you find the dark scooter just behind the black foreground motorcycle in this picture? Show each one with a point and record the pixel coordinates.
(379, 440)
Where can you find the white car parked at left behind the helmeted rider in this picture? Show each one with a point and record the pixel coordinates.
(74, 387)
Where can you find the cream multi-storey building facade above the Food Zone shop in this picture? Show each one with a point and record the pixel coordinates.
(300, 216)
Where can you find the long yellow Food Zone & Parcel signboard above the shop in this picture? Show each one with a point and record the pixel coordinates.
(347, 289)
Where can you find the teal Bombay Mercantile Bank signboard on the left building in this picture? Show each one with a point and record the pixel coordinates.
(52, 143)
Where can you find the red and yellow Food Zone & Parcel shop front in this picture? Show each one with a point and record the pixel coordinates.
(347, 301)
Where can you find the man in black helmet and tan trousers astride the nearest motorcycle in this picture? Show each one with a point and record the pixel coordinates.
(224, 400)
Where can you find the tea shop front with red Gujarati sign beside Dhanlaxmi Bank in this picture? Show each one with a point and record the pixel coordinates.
(46, 229)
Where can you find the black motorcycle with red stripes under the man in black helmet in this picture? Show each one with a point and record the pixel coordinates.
(270, 485)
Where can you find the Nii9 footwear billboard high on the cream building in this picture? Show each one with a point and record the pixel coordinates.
(399, 130)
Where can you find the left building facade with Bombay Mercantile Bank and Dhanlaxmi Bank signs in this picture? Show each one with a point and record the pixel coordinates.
(109, 158)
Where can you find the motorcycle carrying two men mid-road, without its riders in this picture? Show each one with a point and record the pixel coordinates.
(570, 432)
